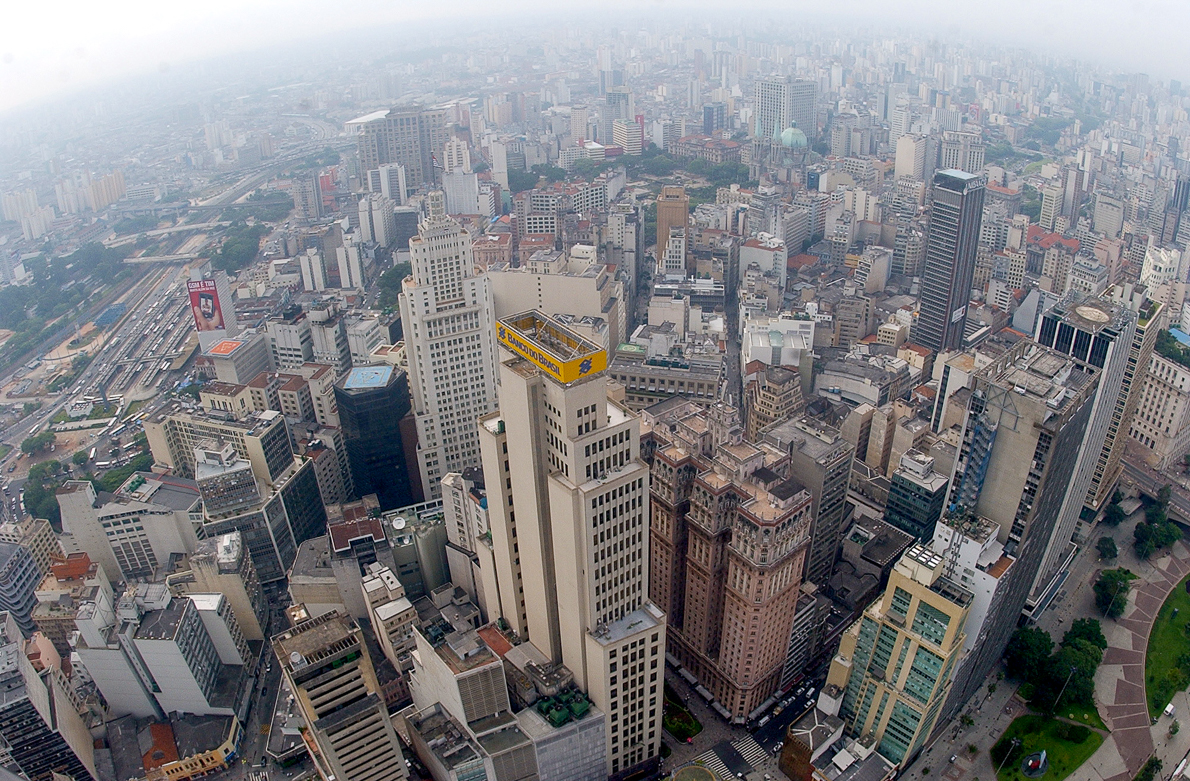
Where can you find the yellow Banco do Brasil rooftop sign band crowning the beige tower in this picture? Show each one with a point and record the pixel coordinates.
(552, 347)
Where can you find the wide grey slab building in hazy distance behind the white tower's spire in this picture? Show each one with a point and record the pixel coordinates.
(412, 138)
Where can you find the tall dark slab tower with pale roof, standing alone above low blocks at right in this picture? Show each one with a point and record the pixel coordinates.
(950, 260)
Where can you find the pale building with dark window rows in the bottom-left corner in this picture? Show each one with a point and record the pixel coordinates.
(42, 733)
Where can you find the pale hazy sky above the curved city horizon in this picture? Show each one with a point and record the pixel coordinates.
(51, 47)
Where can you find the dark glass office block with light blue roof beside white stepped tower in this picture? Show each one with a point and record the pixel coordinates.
(372, 402)
